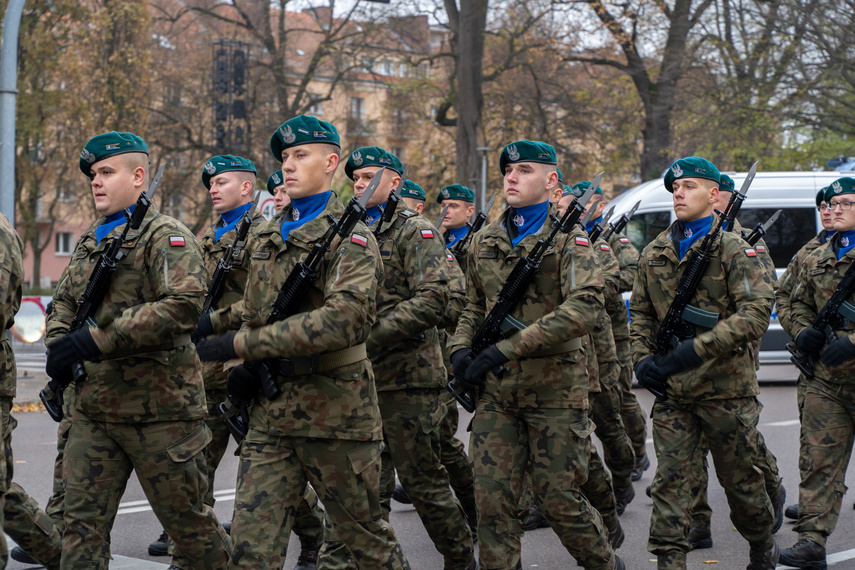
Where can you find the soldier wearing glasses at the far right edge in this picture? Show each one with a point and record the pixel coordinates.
(827, 409)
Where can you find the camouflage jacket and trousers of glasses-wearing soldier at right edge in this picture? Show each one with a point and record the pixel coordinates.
(827, 428)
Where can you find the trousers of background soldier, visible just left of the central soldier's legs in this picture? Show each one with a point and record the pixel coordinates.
(453, 455)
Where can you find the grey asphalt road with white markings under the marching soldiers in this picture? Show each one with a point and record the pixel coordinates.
(136, 525)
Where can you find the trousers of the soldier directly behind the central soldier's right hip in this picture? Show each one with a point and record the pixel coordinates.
(617, 447)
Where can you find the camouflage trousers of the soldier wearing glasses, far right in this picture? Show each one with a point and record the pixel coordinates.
(826, 439)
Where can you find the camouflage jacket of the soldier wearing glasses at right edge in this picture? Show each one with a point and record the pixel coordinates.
(816, 282)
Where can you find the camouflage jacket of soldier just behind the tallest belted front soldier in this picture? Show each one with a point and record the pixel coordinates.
(411, 302)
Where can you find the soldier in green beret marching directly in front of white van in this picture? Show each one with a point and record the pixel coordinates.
(707, 386)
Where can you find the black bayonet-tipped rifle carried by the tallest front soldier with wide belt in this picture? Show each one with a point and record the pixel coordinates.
(235, 410)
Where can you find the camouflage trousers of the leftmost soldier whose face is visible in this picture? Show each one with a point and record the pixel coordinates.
(168, 458)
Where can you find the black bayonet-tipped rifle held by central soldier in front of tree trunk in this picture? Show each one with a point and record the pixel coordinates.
(498, 324)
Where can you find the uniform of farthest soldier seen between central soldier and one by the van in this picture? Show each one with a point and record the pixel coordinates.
(634, 418)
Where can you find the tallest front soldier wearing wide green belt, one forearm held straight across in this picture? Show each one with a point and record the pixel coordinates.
(325, 427)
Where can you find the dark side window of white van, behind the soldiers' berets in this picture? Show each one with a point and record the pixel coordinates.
(794, 228)
